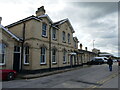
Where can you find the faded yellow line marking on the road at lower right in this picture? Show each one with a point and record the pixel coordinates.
(104, 80)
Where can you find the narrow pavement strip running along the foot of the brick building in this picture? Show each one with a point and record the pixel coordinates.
(30, 76)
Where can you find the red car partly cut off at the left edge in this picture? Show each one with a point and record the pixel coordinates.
(7, 74)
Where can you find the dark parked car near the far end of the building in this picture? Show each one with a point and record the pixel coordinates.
(98, 60)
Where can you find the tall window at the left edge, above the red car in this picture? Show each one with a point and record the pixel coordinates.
(2, 54)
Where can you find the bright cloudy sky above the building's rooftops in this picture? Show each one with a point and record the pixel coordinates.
(94, 21)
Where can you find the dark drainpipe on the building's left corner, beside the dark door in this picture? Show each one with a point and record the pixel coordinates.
(22, 49)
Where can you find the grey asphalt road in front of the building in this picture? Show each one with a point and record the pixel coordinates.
(94, 76)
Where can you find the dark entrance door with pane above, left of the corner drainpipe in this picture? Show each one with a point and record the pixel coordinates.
(16, 63)
